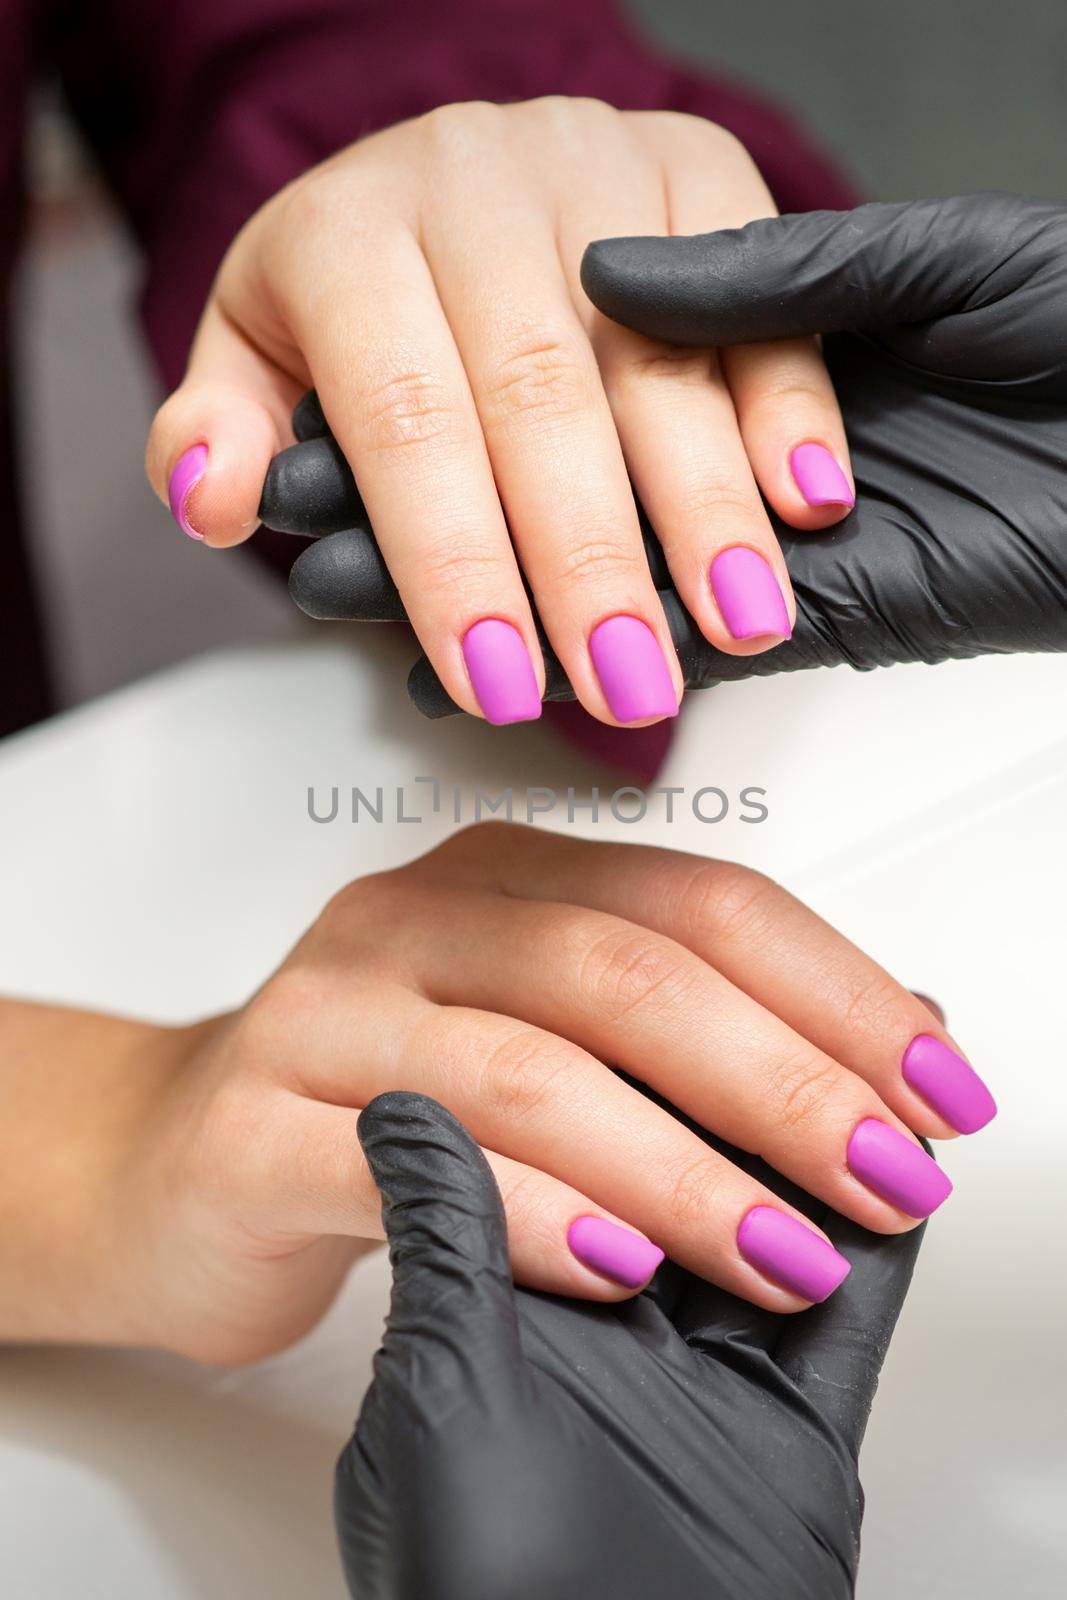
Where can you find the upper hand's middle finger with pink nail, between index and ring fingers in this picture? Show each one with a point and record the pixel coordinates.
(553, 444)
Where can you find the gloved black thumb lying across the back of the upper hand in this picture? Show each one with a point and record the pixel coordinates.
(813, 273)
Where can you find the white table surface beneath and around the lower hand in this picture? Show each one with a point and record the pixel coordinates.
(158, 858)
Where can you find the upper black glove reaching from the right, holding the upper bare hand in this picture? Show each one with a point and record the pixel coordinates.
(948, 346)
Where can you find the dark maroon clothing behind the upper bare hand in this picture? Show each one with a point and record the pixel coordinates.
(201, 110)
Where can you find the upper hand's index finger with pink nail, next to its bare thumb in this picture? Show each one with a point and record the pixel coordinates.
(401, 409)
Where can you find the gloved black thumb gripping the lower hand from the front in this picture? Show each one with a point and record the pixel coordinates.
(452, 1319)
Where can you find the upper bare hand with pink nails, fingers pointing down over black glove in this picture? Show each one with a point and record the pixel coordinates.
(426, 281)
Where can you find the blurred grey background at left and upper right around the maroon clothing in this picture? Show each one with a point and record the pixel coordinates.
(925, 97)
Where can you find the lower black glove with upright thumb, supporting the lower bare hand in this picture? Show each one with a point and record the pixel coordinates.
(682, 1446)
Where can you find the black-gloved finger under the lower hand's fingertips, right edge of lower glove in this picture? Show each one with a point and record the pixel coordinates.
(836, 1353)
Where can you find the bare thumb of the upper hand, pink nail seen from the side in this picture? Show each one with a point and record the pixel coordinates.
(214, 439)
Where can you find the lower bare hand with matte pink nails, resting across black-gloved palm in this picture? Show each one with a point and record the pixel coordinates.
(503, 975)
